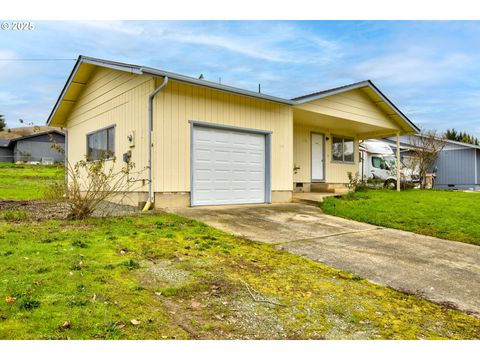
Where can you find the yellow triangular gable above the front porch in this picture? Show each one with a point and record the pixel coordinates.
(354, 105)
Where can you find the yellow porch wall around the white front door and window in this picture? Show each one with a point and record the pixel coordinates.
(334, 172)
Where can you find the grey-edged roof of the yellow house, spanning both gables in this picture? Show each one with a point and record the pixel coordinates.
(145, 70)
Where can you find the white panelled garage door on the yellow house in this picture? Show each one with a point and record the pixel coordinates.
(228, 167)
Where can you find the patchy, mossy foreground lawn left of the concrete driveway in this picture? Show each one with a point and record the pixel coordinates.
(181, 279)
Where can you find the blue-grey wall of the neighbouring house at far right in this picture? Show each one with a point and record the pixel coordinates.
(456, 167)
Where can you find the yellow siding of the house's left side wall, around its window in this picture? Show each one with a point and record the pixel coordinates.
(112, 98)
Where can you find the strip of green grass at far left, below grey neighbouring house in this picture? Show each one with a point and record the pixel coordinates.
(27, 182)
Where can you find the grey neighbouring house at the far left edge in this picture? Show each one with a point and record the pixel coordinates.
(36, 147)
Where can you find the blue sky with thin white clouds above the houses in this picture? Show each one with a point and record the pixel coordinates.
(430, 70)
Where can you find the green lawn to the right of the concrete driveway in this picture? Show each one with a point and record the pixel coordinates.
(444, 214)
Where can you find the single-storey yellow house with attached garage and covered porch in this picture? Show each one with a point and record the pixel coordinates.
(196, 142)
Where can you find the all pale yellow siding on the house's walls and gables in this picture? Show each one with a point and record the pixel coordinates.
(117, 98)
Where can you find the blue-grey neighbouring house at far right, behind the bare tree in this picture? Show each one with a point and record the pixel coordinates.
(457, 166)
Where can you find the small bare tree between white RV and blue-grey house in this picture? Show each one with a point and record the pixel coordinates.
(426, 149)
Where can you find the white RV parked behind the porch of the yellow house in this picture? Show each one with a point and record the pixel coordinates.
(378, 161)
